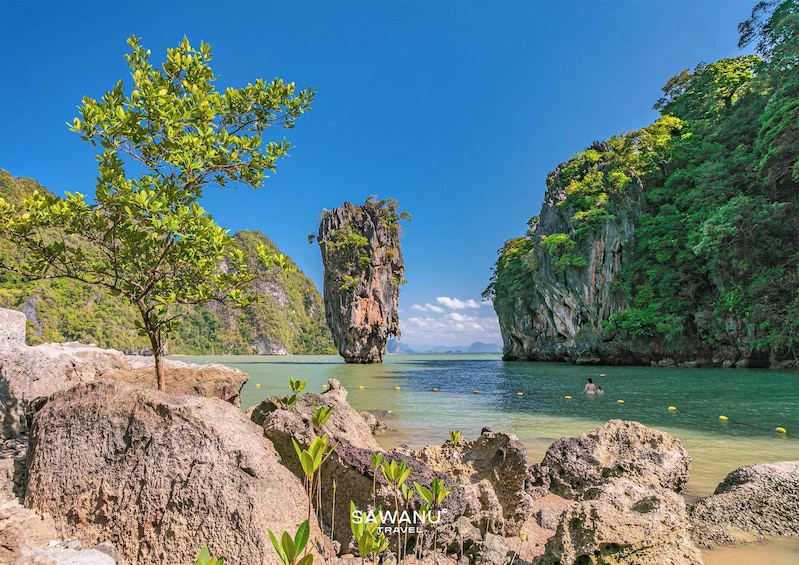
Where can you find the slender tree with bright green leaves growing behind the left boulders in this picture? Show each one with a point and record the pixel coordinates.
(145, 235)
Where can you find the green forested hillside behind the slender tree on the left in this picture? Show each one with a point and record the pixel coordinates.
(289, 313)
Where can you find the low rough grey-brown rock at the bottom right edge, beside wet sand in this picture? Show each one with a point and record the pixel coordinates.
(751, 504)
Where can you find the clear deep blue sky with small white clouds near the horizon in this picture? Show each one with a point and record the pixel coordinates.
(456, 109)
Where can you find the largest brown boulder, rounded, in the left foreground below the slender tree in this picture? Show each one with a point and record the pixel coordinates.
(159, 476)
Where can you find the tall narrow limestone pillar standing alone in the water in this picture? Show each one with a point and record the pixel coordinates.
(363, 272)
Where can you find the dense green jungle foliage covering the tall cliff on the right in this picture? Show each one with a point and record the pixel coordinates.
(716, 243)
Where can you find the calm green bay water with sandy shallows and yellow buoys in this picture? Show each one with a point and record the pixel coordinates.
(755, 402)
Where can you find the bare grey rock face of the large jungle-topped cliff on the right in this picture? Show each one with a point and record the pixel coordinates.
(568, 293)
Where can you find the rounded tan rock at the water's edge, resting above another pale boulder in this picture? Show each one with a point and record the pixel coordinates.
(574, 467)
